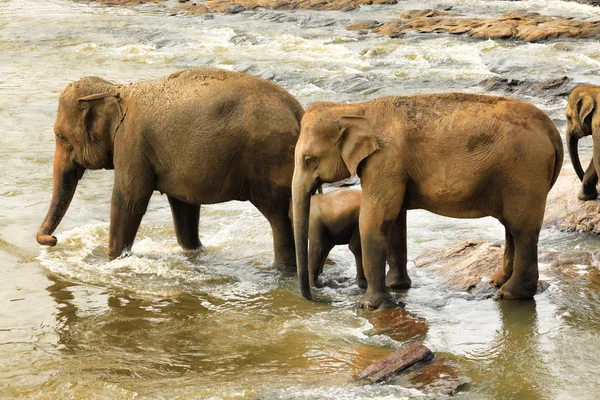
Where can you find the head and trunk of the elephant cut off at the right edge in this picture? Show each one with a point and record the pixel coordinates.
(583, 120)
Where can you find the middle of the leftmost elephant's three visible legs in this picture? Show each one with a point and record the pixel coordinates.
(186, 217)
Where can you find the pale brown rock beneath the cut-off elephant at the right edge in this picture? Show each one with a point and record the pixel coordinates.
(566, 212)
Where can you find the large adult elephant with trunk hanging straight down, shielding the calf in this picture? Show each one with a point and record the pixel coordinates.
(455, 154)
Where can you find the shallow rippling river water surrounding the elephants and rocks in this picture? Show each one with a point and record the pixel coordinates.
(164, 323)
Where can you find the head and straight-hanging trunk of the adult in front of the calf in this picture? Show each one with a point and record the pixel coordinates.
(333, 141)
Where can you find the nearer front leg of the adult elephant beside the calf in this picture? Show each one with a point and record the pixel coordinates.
(375, 221)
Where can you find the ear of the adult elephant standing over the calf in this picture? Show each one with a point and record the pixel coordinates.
(357, 140)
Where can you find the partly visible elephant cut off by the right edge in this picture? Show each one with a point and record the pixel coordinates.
(583, 120)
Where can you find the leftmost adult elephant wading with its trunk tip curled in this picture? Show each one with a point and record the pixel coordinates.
(201, 137)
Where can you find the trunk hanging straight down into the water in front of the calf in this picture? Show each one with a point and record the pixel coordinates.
(301, 193)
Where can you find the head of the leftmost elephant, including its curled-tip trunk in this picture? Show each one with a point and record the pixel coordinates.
(88, 115)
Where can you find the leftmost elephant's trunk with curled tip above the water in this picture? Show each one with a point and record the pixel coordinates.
(66, 176)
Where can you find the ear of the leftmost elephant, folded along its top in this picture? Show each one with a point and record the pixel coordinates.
(102, 114)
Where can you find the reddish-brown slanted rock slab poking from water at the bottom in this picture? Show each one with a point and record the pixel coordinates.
(408, 355)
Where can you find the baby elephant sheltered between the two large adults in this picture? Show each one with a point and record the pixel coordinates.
(334, 221)
